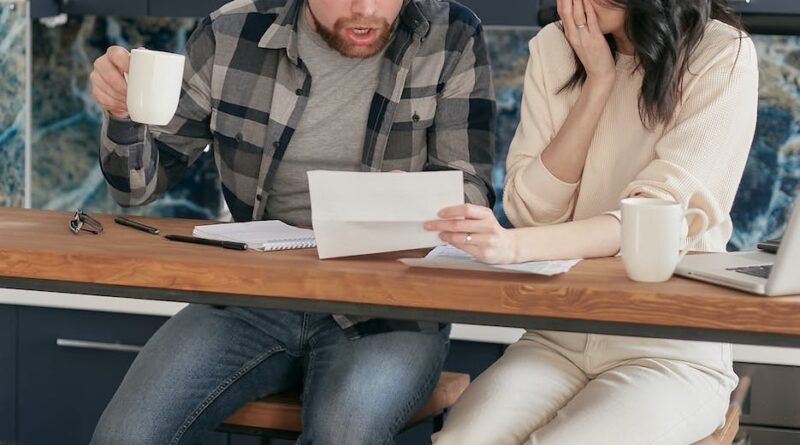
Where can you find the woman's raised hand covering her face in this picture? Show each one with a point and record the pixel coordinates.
(584, 35)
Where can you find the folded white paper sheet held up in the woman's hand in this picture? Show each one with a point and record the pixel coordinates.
(355, 213)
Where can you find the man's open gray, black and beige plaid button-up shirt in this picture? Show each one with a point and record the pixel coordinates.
(245, 89)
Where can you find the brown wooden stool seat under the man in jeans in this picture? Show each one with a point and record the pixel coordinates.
(283, 412)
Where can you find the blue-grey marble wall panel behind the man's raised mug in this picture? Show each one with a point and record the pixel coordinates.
(66, 120)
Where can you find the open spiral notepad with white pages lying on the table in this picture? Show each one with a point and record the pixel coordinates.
(259, 235)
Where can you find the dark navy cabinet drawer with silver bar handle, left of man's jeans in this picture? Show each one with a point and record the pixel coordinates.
(70, 364)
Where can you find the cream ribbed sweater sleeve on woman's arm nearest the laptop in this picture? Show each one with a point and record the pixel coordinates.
(701, 157)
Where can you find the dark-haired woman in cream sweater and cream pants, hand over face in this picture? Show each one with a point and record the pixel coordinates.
(654, 98)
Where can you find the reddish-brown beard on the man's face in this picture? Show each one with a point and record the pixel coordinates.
(337, 41)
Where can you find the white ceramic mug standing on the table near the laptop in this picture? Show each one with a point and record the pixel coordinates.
(651, 237)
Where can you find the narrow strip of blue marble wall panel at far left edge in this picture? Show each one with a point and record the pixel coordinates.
(13, 26)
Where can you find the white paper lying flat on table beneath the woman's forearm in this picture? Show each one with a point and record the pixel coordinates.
(448, 257)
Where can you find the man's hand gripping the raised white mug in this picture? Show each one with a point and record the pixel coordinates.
(109, 87)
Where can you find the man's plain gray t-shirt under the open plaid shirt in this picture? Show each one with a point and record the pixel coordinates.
(331, 132)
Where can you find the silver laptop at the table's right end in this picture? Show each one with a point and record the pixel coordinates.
(758, 272)
